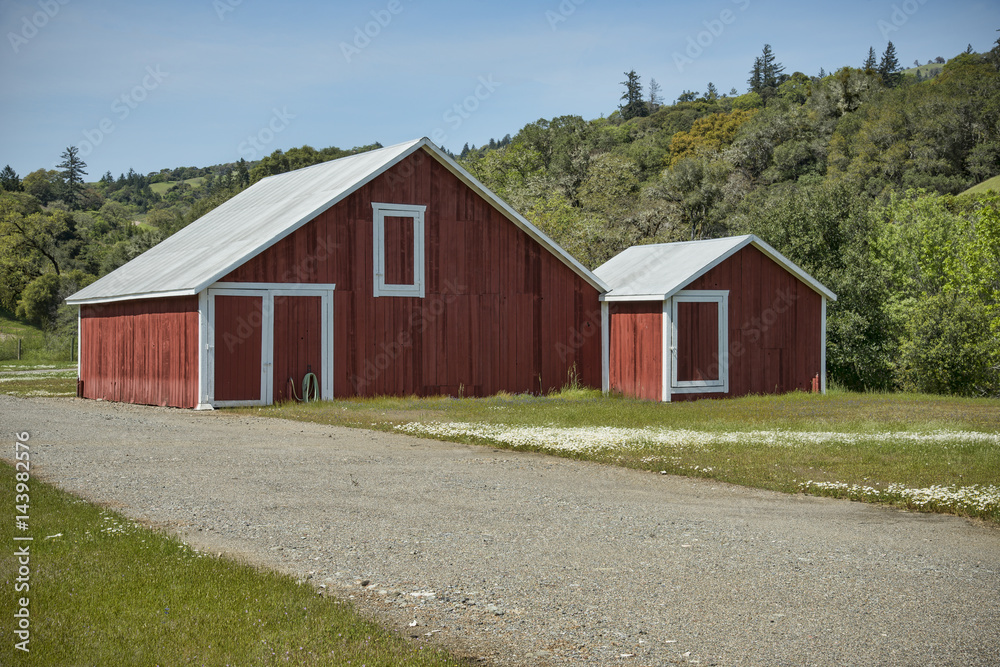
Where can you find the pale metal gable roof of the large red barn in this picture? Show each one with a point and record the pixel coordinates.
(268, 211)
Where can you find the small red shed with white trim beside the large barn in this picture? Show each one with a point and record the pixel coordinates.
(711, 319)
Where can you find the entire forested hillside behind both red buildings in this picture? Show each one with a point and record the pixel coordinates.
(857, 176)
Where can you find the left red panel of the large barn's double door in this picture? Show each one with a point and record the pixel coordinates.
(238, 329)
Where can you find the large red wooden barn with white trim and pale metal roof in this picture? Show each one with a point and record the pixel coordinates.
(391, 272)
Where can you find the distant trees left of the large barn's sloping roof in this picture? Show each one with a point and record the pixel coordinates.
(59, 233)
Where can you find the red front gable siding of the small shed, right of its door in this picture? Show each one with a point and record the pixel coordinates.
(775, 322)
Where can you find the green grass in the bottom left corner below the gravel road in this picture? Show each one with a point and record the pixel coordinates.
(107, 591)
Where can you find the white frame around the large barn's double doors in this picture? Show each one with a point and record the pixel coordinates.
(267, 291)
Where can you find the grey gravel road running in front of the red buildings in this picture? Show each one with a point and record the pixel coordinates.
(524, 559)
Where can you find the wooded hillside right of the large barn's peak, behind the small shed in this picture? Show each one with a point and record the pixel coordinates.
(856, 176)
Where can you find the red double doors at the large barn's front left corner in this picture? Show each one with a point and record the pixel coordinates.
(262, 343)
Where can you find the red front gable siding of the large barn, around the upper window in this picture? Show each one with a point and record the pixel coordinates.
(500, 312)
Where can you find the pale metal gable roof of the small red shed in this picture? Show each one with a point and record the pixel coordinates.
(657, 272)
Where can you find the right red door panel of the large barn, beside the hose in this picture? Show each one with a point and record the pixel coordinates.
(298, 345)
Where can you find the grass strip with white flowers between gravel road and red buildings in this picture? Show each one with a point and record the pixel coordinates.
(867, 454)
